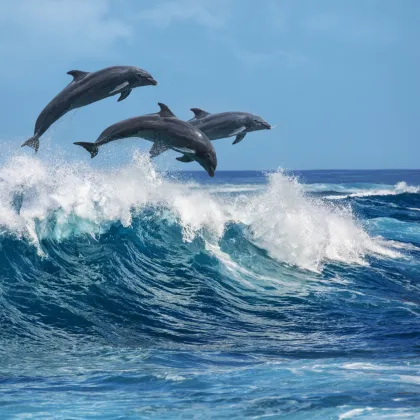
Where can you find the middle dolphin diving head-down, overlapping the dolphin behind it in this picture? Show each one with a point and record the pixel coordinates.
(166, 131)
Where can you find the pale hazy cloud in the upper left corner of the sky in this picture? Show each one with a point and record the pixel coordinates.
(48, 27)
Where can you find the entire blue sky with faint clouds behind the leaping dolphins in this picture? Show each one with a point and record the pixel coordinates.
(338, 79)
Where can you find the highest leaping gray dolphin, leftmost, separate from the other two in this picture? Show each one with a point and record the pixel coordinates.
(87, 88)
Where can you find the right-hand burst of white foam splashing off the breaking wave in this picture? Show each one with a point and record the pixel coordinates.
(302, 231)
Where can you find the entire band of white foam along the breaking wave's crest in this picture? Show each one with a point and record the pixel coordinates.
(293, 228)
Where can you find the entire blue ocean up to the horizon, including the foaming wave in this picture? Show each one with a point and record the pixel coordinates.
(130, 293)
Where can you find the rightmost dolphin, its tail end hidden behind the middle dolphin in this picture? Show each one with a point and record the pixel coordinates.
(227, 124)
